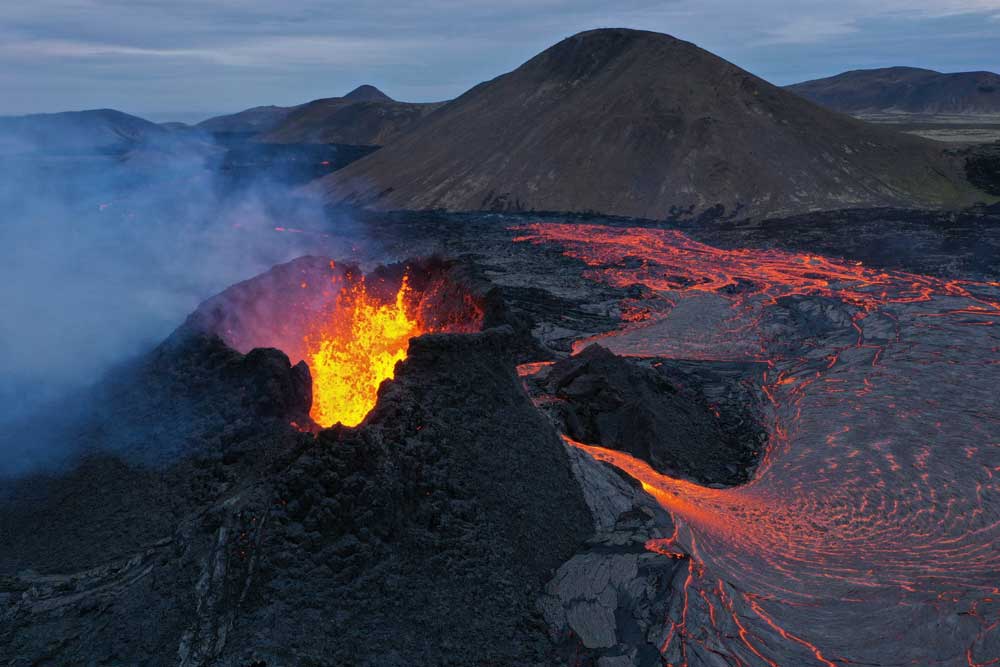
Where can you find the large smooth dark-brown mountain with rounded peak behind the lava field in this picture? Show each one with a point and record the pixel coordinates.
(637, 123)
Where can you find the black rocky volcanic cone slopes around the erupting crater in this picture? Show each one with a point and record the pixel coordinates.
(201, 528)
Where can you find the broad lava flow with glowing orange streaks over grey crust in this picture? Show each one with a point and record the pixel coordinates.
(870, 532)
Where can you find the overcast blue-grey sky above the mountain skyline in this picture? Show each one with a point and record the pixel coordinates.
(185, 58)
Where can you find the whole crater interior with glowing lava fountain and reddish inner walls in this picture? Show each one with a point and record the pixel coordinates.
(350, 329)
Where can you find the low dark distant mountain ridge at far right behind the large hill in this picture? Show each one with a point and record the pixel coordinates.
(905, 89)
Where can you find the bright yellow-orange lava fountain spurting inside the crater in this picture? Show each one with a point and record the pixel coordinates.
(355, 350)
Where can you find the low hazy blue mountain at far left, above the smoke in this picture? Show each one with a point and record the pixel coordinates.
(76, 131)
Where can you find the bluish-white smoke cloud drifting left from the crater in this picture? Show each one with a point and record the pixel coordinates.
(104, 252)
